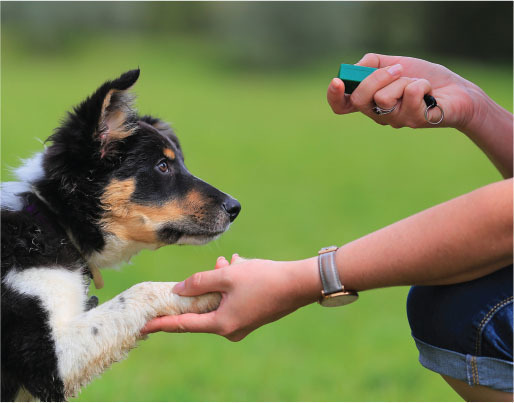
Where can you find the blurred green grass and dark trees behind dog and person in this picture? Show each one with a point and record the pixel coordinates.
(244, 85)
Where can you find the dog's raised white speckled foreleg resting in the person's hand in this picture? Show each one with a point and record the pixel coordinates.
(90, 343)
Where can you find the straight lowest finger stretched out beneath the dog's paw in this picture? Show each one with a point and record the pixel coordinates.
(186, 323)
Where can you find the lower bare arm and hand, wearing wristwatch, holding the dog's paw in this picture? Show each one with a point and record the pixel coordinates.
(459, 240)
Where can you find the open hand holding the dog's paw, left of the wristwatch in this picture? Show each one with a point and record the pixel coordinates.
(254, 292)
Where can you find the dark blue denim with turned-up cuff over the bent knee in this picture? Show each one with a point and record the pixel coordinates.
(466, 330)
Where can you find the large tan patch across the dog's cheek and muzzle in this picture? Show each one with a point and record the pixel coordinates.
(135, 222)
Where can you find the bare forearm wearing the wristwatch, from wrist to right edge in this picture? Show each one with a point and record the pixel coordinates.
(459, 240)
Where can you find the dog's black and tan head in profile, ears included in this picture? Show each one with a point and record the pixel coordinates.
(114, 176)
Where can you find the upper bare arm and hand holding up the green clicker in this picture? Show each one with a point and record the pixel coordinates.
(467, 108)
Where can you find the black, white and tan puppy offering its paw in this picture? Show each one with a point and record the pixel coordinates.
(110, 184)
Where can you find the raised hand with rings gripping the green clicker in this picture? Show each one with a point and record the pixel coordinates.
(403, 81)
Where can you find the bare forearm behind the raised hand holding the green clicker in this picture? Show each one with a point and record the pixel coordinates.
(490, 128)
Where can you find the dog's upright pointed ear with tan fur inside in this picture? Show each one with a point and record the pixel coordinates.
(108, 114)
